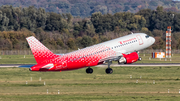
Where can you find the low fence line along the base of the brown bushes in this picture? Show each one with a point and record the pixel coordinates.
(28, 52)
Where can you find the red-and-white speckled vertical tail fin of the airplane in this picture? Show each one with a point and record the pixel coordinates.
(39, 51)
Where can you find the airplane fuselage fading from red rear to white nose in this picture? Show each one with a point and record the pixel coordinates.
(96, 54)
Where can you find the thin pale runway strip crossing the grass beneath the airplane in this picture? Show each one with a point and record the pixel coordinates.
(103, 65)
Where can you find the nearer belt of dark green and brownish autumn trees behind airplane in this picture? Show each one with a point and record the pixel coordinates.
(63, 31)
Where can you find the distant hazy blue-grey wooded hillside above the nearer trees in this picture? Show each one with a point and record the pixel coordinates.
(85, 8)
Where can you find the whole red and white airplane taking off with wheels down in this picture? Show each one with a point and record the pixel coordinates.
(123, 49)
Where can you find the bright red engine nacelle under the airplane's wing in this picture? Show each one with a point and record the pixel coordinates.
(129, 58)
